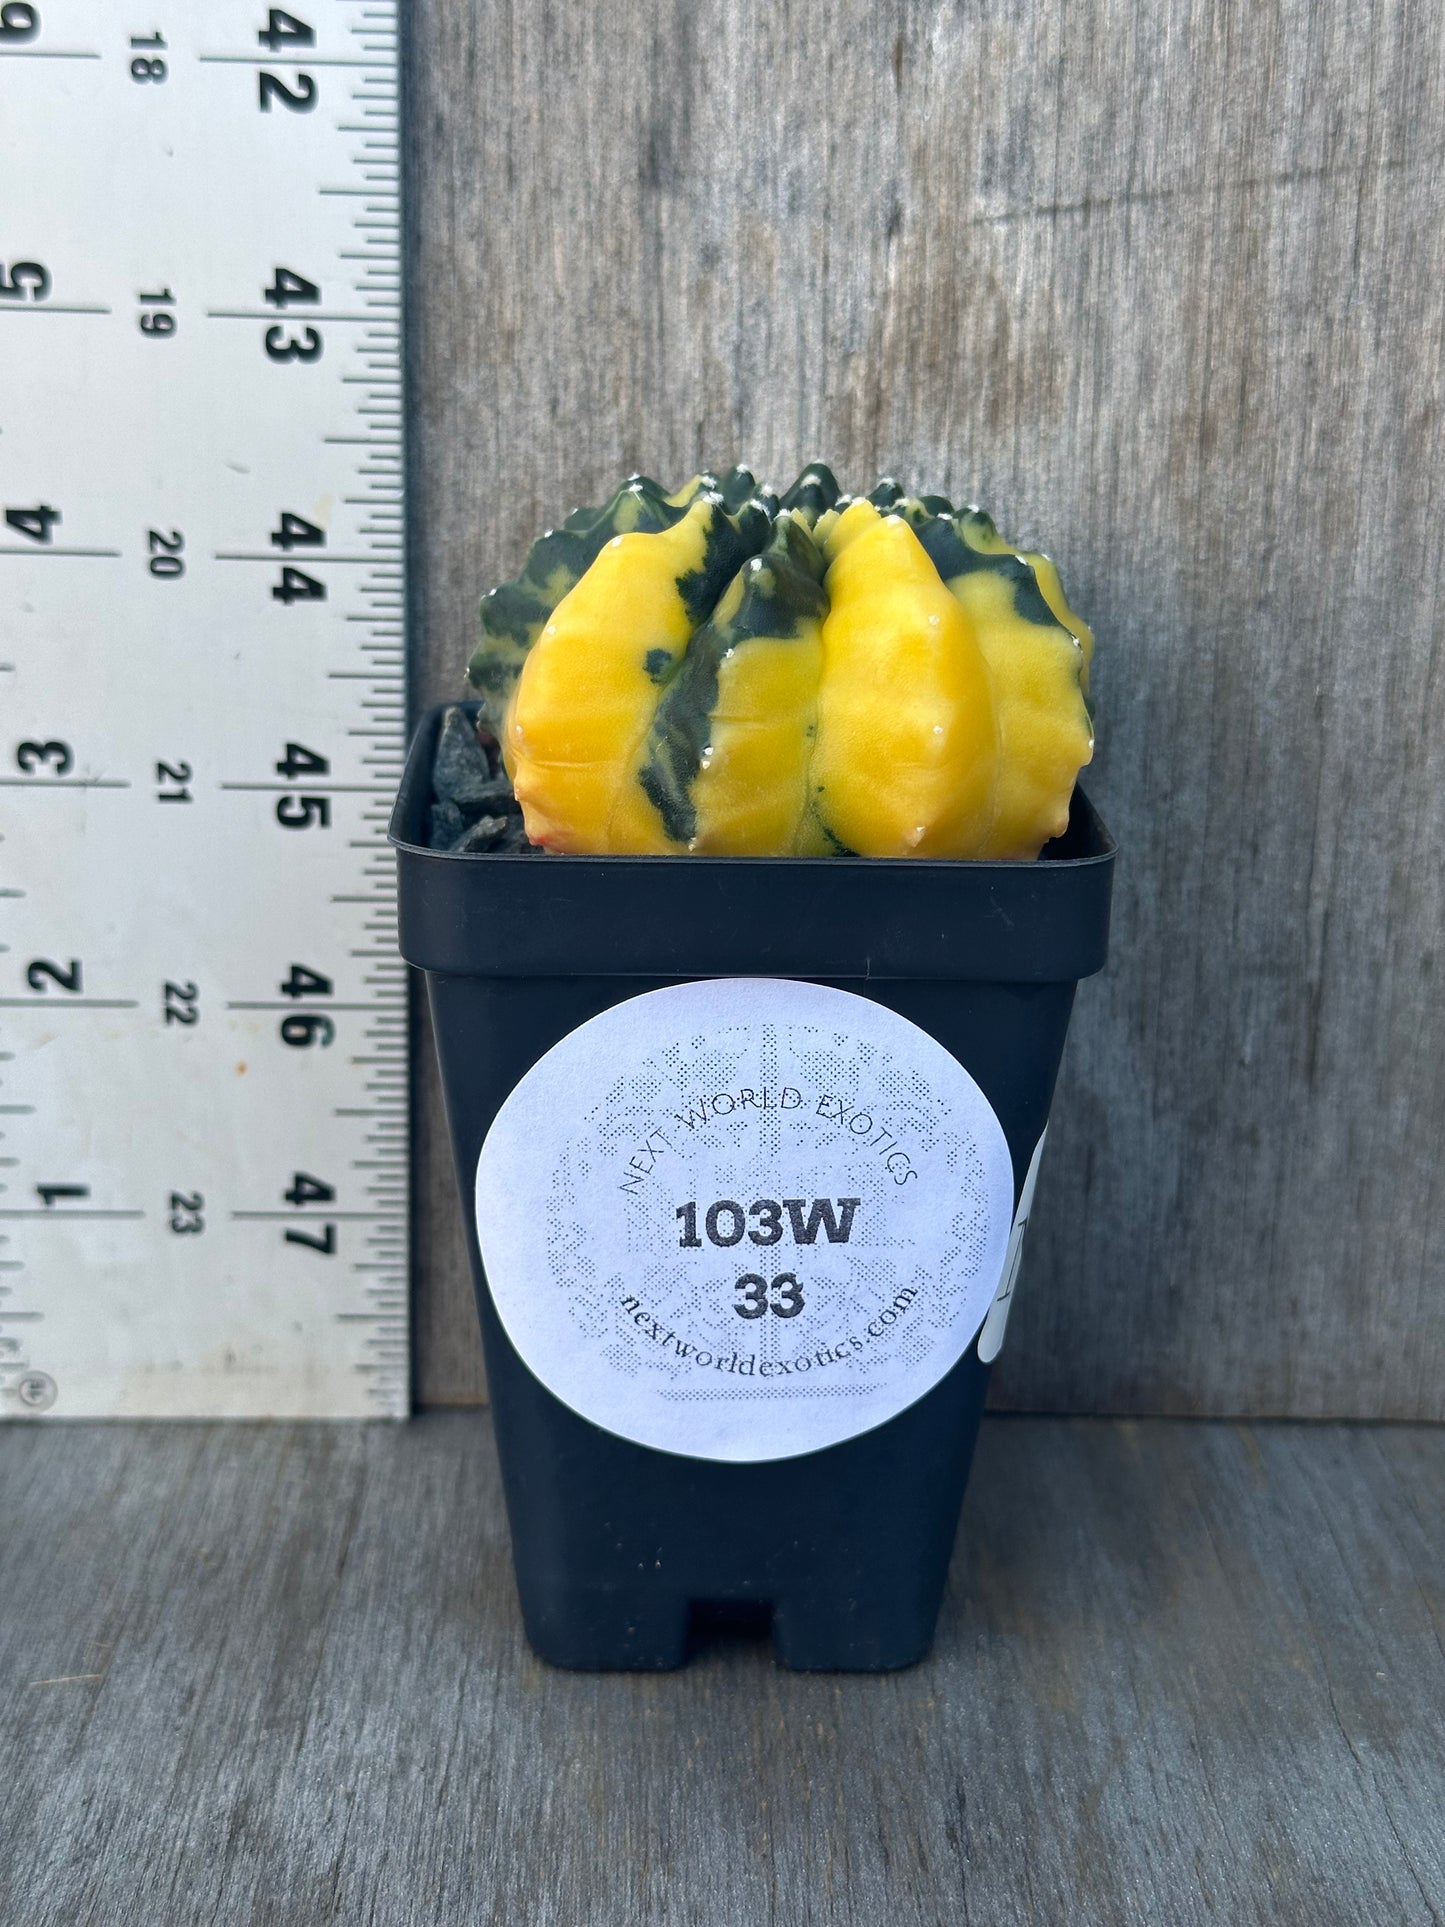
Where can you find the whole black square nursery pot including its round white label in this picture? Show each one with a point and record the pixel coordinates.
(750, 1146)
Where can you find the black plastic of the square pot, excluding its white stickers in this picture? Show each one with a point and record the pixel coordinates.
(617, 1544)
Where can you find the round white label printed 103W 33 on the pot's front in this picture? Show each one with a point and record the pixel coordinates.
(745, 1219)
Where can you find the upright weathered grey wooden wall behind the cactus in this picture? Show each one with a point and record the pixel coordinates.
(1161, 284)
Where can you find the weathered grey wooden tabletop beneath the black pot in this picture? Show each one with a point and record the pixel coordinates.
(1186, 1674)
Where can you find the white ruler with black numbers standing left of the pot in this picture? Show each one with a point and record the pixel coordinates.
(203, 1016)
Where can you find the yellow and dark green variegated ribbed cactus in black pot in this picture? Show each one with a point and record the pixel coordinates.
(722, 672)
